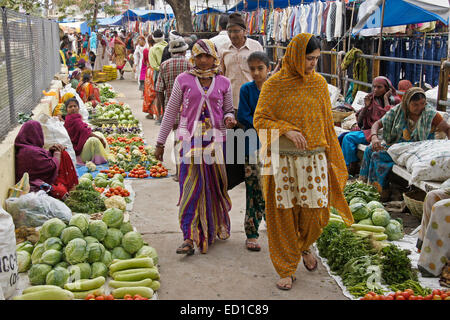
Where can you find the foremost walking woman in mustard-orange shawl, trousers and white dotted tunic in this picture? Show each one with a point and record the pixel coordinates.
(294, 110)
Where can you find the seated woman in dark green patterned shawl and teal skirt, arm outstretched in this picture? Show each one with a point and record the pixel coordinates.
(412, 120)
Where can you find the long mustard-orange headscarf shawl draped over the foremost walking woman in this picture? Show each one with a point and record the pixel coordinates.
(294, 100)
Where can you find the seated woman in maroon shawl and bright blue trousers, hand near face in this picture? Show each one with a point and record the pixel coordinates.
(376, 104)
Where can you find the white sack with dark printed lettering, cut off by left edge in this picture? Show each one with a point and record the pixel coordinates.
(9, 275)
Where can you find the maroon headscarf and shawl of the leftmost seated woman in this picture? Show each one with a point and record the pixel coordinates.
(31, 157)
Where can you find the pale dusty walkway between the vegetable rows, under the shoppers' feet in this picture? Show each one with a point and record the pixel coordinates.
(228, 270)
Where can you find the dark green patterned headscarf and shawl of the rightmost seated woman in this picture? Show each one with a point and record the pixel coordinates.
(395, 122)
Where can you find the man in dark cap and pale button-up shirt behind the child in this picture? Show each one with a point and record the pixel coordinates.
(234, 55)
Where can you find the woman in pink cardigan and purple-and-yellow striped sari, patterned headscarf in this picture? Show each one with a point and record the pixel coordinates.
(206, 111)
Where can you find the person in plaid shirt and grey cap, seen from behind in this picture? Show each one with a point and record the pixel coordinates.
(169, 70)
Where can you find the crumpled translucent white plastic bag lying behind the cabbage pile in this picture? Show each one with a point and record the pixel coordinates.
(34, 208)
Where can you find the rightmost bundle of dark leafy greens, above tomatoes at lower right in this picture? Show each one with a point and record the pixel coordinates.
(396, 266)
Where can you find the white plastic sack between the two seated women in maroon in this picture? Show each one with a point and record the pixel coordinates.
(56, 133)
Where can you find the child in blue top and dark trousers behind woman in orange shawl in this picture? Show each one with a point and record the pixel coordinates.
(259, 64)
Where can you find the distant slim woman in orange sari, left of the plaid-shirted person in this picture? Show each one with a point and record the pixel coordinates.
(149, 104)
